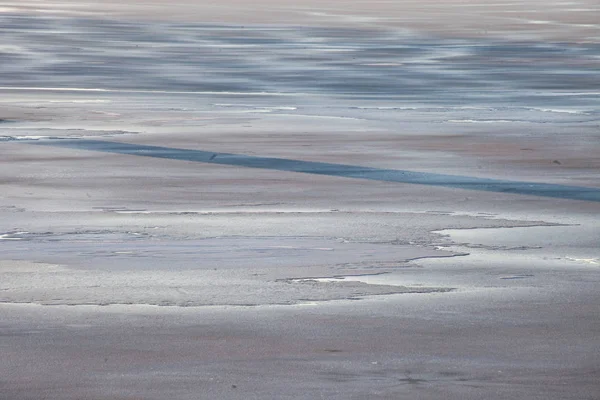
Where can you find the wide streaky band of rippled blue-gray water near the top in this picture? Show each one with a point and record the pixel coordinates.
(397, 65)
